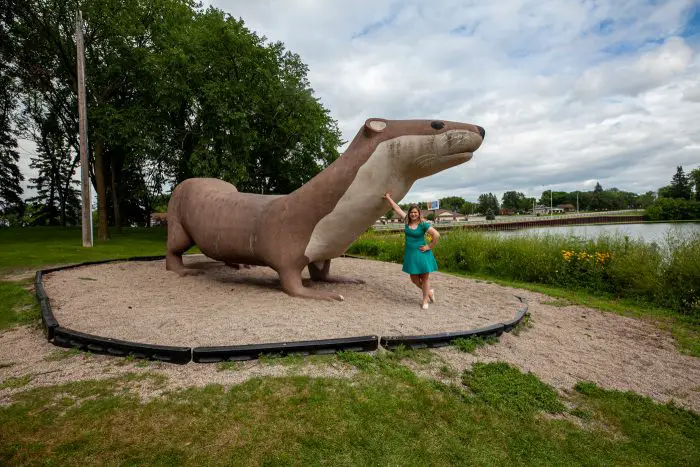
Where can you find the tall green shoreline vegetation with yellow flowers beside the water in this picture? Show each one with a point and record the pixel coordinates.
(665, 275)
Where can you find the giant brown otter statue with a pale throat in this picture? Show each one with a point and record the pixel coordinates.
(321, 219)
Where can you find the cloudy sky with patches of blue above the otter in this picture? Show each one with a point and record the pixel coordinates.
(569, 92)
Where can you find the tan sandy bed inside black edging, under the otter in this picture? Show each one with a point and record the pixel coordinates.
(140, 301)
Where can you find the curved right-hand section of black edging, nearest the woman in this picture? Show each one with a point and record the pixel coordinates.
(445, 338)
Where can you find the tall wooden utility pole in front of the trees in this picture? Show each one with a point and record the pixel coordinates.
(82, 115)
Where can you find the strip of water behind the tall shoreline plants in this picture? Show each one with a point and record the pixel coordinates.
(656, 232)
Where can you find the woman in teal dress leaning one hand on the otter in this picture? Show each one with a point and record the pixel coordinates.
(418, 258)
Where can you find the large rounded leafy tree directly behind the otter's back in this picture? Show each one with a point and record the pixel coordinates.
(240, 110)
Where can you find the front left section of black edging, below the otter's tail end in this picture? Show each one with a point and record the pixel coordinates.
(64, 337)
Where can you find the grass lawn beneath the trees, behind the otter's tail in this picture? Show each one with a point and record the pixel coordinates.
(31, 248)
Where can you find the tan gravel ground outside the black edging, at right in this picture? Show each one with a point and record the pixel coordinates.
(570, 344)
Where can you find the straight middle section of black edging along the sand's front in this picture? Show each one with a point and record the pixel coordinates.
(314, 347)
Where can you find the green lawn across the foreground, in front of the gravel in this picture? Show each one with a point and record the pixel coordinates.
(384, 415)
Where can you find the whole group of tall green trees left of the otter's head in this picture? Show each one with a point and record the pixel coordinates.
(173, 91)
